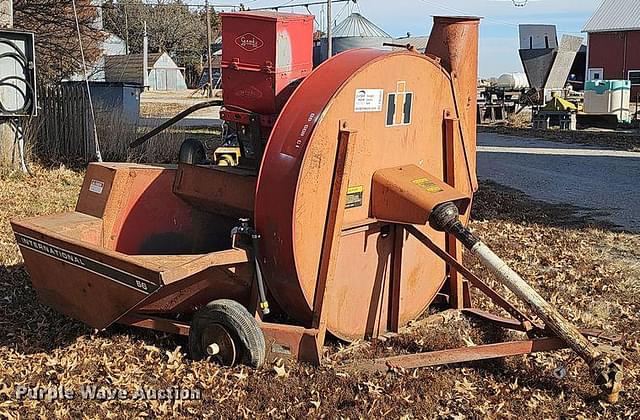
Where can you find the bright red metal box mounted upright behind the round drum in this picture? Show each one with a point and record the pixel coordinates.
(265, 55)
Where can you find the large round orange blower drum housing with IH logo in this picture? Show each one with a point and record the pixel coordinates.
(294, 186)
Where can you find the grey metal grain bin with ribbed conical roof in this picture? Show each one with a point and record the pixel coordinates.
(355, 31)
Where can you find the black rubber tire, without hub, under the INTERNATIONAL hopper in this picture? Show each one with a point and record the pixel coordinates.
(243, 328)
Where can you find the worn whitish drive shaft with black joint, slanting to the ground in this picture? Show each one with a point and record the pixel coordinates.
(608, 372)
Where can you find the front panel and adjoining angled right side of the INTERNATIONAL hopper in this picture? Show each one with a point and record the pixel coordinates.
(98, 286)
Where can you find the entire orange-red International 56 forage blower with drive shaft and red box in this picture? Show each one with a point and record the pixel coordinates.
(359, 202)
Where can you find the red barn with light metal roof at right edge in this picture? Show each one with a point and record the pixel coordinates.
(614, 43)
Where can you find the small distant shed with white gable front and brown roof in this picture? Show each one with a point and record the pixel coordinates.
(164, 73)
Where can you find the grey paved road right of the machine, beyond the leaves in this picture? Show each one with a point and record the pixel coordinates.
(606, 181)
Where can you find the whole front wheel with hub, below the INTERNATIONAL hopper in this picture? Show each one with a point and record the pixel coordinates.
(225, 331)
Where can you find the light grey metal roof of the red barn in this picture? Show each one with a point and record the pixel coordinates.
(615, 15)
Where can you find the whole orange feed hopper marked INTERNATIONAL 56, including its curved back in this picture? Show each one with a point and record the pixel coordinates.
(98, 269)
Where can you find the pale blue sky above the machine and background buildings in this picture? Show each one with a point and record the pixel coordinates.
(498, 30)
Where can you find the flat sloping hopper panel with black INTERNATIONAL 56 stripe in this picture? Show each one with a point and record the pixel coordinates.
(77, 279)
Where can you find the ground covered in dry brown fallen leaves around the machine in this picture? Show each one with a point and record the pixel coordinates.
(591, 274)
